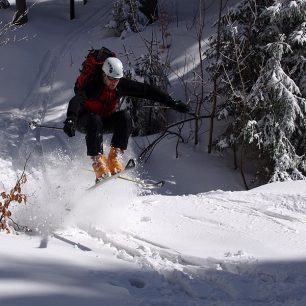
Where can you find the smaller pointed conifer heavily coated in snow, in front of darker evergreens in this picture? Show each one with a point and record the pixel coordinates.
(279, 117)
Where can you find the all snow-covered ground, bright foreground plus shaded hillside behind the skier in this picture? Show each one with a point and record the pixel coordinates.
(201, 240)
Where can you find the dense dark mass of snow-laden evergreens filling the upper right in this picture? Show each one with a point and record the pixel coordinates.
(261, 75)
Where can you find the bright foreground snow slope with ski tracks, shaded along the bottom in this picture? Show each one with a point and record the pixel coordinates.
(217, 248)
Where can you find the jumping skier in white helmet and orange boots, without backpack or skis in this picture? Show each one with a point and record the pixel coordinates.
(93, 110)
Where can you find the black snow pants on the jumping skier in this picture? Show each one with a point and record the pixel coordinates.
(119, 123)
